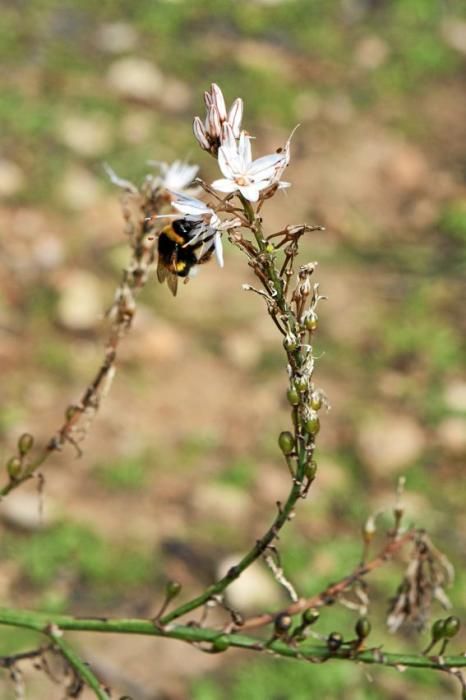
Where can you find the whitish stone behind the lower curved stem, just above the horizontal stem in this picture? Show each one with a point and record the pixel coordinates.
(254, 590)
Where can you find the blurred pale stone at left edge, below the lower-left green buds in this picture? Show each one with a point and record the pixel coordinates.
(24, 511)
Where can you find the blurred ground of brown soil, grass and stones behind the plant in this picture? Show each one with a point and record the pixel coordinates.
(184, 448)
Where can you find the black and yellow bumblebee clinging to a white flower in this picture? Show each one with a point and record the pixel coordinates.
(177, 255)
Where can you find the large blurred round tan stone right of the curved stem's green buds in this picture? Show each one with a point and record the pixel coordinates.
(389, 443)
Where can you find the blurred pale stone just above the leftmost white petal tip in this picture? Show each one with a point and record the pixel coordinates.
(86, 136)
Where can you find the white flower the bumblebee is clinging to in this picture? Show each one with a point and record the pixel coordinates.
(209, 228)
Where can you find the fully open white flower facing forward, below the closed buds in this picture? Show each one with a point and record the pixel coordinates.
(241, 173)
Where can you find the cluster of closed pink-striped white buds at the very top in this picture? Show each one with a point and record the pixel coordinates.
(209, 133)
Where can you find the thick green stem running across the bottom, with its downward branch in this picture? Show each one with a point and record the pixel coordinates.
(41, 622)
